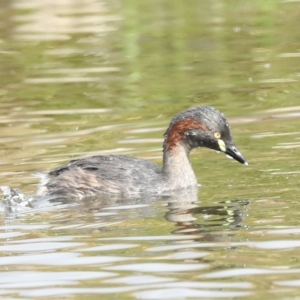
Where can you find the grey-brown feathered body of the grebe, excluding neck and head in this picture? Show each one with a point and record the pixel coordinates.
(113, 174)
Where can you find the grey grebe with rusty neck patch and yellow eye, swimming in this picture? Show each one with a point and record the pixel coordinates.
(202, 126)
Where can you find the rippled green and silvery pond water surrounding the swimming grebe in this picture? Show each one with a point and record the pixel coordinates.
(86, 77)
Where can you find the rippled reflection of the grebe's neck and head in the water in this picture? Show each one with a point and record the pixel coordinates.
(191, 218)
